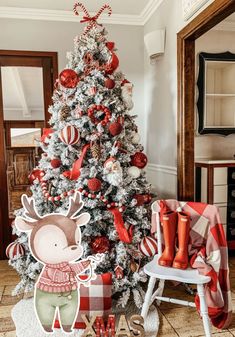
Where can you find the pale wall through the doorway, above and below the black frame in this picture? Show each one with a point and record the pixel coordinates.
(214, 146)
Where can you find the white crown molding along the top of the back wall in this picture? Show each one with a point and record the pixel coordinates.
(68, 16)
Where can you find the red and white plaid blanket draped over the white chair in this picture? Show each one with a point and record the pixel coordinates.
(208, 253)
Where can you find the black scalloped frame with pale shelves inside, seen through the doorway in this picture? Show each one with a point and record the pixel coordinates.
(216, 93)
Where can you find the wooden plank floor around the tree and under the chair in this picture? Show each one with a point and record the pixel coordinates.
(175, 320)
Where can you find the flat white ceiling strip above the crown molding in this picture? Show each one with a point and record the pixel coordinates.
(118, 6)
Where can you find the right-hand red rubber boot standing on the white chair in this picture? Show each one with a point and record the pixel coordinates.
(181, 258)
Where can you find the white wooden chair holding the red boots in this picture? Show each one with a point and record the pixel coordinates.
(190, 276)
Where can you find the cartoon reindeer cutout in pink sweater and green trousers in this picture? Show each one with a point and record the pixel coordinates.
(55, 241)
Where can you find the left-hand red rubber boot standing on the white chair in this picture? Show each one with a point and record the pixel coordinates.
(169, 223)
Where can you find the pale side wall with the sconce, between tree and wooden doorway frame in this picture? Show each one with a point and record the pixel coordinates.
(161, 100)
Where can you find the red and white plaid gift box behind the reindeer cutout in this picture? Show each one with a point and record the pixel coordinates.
(94, 300)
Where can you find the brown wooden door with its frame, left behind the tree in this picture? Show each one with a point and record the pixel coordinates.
(16, 163)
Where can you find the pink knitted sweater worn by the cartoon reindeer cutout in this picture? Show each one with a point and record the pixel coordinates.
(60, 278)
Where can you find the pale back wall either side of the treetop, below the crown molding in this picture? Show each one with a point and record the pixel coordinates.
(58, 36)
